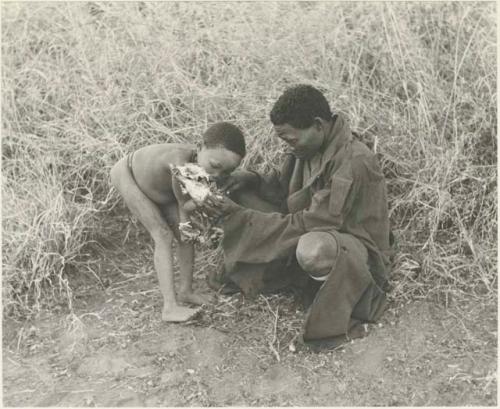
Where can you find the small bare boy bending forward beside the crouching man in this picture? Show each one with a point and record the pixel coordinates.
(144, 180)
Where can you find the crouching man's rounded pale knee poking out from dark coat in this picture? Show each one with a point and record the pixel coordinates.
(317, 253)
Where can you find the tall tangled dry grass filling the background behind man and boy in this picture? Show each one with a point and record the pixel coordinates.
(85, 83)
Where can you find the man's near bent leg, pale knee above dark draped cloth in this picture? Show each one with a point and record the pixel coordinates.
(348, 294)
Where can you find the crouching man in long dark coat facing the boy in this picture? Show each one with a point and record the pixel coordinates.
(325, 212)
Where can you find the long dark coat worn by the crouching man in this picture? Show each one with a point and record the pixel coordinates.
(341, 189)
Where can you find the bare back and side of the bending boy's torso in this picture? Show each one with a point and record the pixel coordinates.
(151, 167)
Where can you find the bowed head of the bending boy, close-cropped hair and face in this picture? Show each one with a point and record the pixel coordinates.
(223, 149)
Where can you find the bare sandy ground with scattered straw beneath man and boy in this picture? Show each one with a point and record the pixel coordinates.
(115, 351)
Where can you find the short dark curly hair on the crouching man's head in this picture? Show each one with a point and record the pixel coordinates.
(299, 105)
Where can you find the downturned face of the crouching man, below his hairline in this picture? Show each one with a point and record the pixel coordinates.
(304, 143)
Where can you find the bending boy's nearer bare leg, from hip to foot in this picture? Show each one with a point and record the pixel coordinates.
(151, 217)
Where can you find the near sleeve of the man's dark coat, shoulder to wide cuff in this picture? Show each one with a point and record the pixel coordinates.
(268, 236)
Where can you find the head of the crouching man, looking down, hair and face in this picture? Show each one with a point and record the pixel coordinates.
(301, 117)
